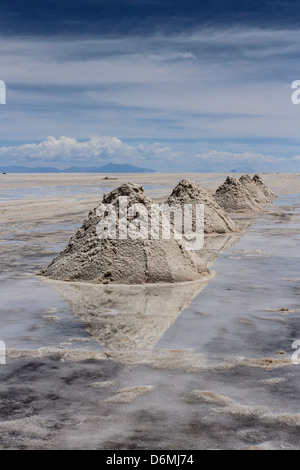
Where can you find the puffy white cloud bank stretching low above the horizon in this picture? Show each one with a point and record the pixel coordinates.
(98, 150)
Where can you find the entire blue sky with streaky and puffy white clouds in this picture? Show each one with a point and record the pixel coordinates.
(170, 85)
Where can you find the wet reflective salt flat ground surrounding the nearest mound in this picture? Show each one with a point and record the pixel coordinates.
(201, 365)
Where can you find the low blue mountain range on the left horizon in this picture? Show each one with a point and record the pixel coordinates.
(109, 168)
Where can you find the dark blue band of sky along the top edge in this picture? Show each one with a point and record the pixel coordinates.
(115, 17)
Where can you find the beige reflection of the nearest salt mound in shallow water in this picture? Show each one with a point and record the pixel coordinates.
(128, 317)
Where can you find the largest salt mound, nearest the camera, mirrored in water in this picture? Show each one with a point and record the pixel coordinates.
(89, 258)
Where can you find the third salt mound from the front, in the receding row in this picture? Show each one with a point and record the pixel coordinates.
(233, 196)
